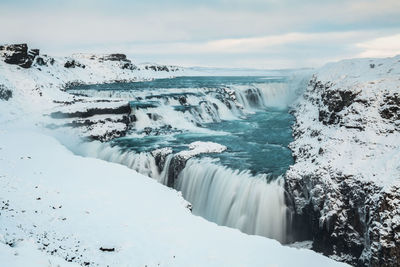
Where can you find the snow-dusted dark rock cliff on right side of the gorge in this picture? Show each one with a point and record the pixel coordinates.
(344, 189)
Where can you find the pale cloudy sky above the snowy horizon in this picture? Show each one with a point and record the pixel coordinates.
(264, 34)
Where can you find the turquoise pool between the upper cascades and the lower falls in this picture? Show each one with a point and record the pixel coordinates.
(258, 143)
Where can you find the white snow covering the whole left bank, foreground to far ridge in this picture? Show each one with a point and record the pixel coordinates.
(59, 209)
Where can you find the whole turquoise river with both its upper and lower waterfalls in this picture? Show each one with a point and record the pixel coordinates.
(240, 187)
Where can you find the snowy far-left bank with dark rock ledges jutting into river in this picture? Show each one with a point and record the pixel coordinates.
(33, 85)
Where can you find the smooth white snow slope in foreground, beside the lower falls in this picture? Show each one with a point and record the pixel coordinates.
(73, 206)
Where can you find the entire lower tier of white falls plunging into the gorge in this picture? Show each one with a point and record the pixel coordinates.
(217, 193)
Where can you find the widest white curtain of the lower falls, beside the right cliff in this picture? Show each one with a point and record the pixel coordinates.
(235, 199)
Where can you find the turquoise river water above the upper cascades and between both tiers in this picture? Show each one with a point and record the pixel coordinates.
(257, 141)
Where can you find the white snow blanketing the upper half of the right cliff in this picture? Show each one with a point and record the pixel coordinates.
(371, 154)
